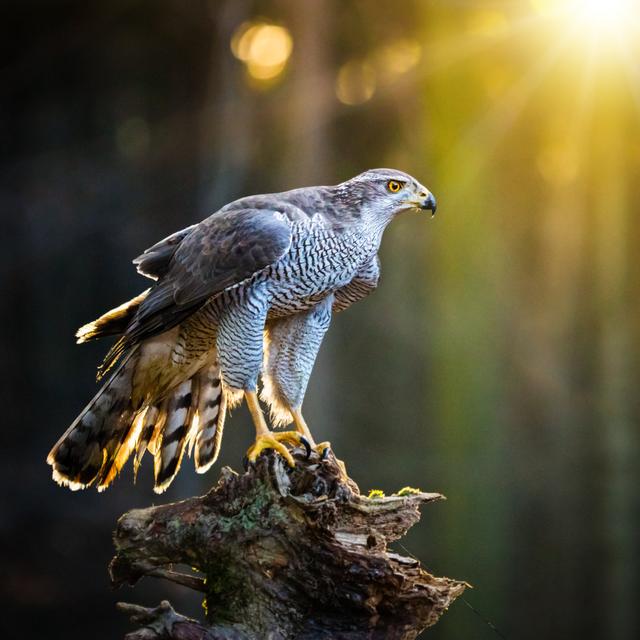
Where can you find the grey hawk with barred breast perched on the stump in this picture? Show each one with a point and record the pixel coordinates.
(247, 293)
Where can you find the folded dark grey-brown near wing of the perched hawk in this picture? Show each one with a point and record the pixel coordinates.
(220, 252)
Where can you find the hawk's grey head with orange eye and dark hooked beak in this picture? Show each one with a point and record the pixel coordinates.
(389, 191)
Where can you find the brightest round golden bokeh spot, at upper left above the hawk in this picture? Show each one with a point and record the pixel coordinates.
(264, 48)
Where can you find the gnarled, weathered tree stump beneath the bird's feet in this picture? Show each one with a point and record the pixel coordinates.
(283, 553)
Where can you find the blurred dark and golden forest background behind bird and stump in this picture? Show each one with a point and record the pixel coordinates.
(499, 361)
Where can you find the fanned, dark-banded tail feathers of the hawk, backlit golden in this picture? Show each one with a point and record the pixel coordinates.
(97, 445)
